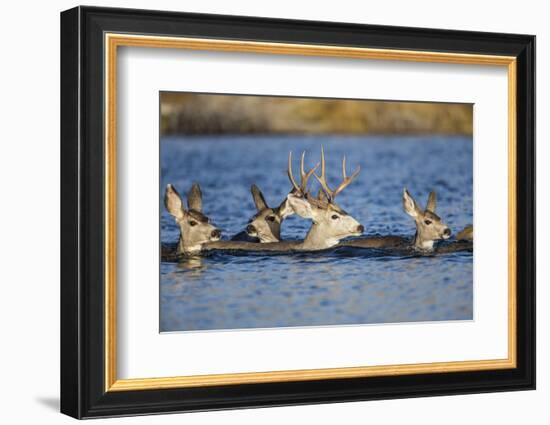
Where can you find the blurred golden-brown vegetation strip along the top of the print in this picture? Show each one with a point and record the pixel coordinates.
(187, 113)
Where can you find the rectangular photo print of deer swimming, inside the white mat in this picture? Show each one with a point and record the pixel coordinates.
(281, 212)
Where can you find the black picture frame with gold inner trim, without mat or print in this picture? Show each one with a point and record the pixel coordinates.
(91, 40)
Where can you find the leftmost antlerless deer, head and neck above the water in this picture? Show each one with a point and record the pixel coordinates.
(195, 227)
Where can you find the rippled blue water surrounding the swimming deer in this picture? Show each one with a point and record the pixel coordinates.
(224, 291)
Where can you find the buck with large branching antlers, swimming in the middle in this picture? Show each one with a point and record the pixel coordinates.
(330, 223)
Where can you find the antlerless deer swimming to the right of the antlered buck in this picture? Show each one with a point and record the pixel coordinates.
(429, 228)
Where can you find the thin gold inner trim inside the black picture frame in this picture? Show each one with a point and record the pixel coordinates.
(114, 41)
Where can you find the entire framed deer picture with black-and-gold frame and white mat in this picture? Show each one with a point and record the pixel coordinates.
(261, 212)
